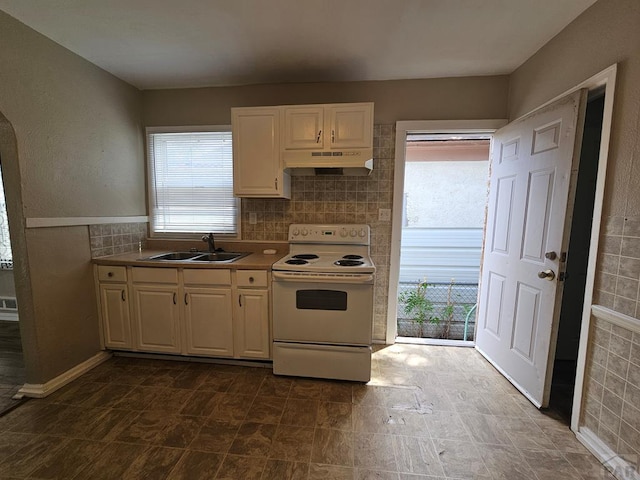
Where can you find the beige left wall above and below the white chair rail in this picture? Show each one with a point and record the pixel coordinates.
(76, 151)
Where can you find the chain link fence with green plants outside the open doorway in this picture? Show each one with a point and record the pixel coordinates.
(437, 310)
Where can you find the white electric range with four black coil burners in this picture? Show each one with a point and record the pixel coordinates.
(323, 303)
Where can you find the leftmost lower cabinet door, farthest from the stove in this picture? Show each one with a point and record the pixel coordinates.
(115, 315)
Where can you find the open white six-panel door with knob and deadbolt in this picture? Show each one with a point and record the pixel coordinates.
(529, 207)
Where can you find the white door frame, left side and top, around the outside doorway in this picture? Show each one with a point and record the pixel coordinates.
(402, 129)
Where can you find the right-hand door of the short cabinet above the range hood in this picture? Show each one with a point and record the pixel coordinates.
(351, 126)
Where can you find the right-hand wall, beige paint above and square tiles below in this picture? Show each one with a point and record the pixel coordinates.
(605, 34)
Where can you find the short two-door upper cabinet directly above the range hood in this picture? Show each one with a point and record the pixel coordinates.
(328, 127)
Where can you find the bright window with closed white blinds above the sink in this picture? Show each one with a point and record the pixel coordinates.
(191, 182)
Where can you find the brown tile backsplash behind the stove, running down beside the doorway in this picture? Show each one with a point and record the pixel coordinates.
(340, 199)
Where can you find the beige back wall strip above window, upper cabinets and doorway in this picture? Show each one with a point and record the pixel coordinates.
(431, 99)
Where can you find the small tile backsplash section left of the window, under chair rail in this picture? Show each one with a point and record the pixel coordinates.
(112, 238)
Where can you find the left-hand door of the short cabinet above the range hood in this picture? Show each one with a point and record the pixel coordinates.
(303, 128)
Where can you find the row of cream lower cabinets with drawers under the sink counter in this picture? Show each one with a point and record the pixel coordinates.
(205, 312)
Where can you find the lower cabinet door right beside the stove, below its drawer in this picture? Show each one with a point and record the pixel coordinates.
(253, 339)
